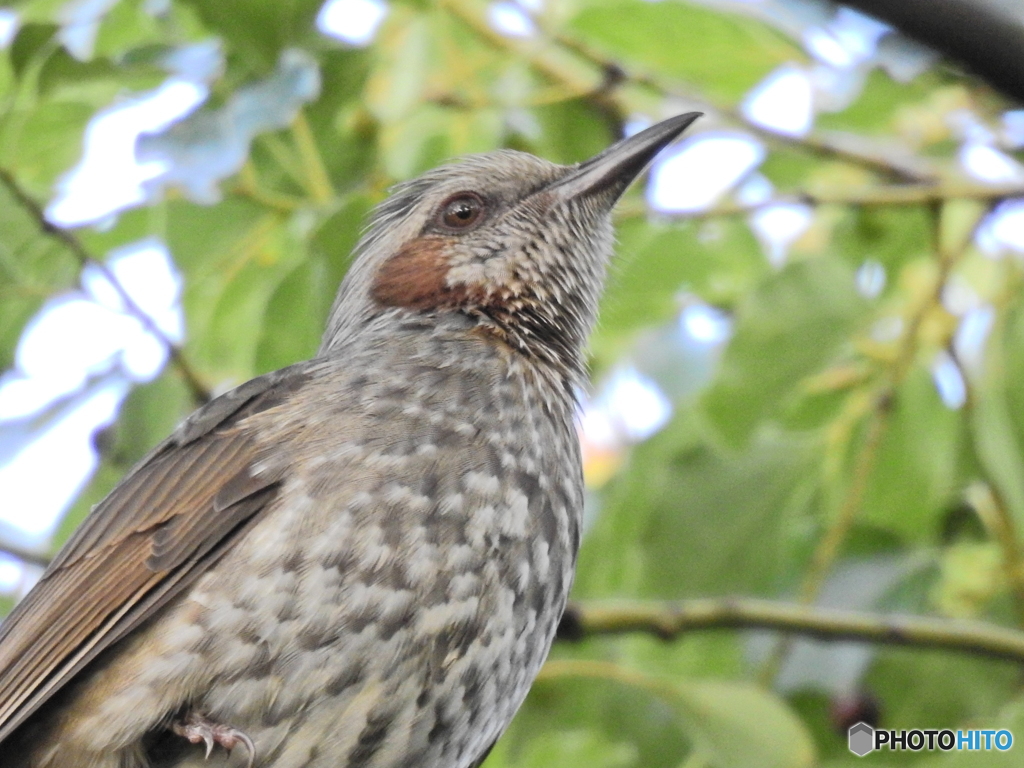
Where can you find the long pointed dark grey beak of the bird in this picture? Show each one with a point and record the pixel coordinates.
(614, 170)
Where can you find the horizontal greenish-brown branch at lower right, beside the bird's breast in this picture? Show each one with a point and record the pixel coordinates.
(669, 621)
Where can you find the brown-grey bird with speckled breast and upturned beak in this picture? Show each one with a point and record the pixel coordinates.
(359, 561)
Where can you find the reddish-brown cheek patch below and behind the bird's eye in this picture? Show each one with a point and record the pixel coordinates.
(415, 278)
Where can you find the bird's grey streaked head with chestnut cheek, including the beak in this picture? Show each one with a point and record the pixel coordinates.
(516, 244)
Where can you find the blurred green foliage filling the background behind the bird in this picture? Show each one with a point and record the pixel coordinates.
(819, 447)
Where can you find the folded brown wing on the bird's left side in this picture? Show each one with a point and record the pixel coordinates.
(158, 531)
